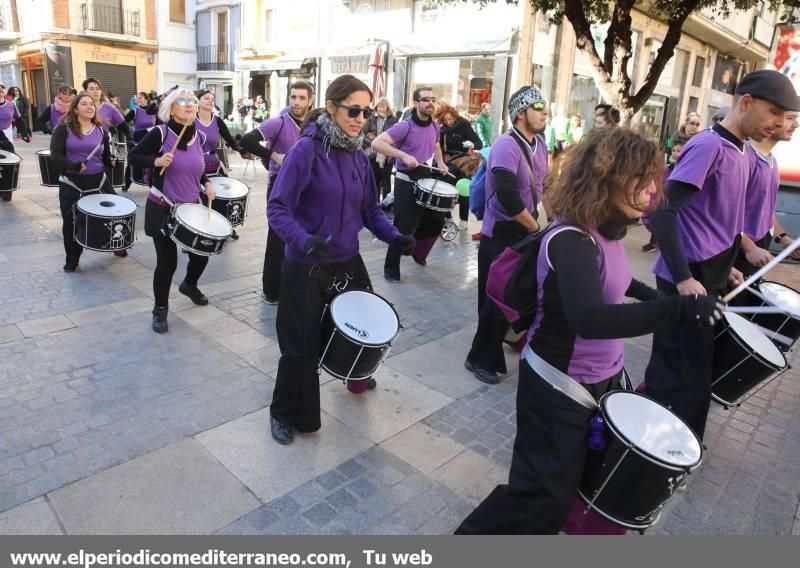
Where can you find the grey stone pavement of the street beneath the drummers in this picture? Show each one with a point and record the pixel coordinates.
(106, 427)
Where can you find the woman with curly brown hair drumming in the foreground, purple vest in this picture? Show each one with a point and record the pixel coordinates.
(583, 275)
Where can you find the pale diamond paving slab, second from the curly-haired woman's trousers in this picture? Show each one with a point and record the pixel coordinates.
(424, 448)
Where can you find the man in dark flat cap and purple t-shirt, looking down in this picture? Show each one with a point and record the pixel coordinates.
(698, 231)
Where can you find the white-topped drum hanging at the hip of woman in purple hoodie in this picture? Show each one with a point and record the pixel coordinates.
(359, 328)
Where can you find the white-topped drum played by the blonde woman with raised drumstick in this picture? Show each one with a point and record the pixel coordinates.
(192, 230)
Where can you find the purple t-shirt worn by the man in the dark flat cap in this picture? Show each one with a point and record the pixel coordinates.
(711, 219)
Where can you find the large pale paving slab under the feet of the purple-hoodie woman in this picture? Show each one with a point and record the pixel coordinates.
(270, 470)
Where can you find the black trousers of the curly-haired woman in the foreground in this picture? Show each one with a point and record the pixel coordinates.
(550, 452)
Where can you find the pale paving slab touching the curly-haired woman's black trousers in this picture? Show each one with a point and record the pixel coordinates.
(471, 475)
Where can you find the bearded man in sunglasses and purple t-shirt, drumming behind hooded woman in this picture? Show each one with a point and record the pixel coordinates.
(412, 143)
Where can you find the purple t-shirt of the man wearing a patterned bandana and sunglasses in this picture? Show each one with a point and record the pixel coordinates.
(507, 154)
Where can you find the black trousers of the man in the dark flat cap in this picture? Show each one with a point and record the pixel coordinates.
(679, 372)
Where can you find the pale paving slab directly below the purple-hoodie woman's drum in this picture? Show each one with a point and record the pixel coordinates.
(397, 403)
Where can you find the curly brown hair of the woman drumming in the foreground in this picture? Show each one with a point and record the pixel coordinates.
(605, 163)
